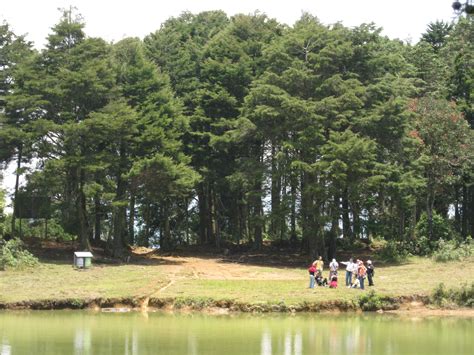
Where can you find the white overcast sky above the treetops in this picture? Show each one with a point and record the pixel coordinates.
(114, 20)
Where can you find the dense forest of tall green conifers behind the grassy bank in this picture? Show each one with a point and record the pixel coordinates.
(218, 130)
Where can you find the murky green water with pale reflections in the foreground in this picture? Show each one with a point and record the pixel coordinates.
(70, 332)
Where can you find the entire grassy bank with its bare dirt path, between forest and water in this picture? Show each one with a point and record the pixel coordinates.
(213, 282)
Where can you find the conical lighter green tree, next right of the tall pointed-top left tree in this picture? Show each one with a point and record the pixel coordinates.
(157, 168)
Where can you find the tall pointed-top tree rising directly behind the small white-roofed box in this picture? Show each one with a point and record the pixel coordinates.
(74, 79)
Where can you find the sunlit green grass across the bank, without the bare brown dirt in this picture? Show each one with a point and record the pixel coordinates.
(60, 281)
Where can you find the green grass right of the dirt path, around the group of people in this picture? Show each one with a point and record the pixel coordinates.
(417, 276)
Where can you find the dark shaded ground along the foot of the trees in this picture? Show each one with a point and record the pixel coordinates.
(61, 253)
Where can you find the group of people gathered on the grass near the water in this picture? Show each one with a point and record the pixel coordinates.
(356, 272)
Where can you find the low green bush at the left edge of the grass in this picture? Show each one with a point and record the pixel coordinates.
(14, 256)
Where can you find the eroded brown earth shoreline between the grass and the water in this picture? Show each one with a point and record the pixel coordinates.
(411, 306)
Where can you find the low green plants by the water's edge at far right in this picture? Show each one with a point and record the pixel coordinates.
(443, 297)
